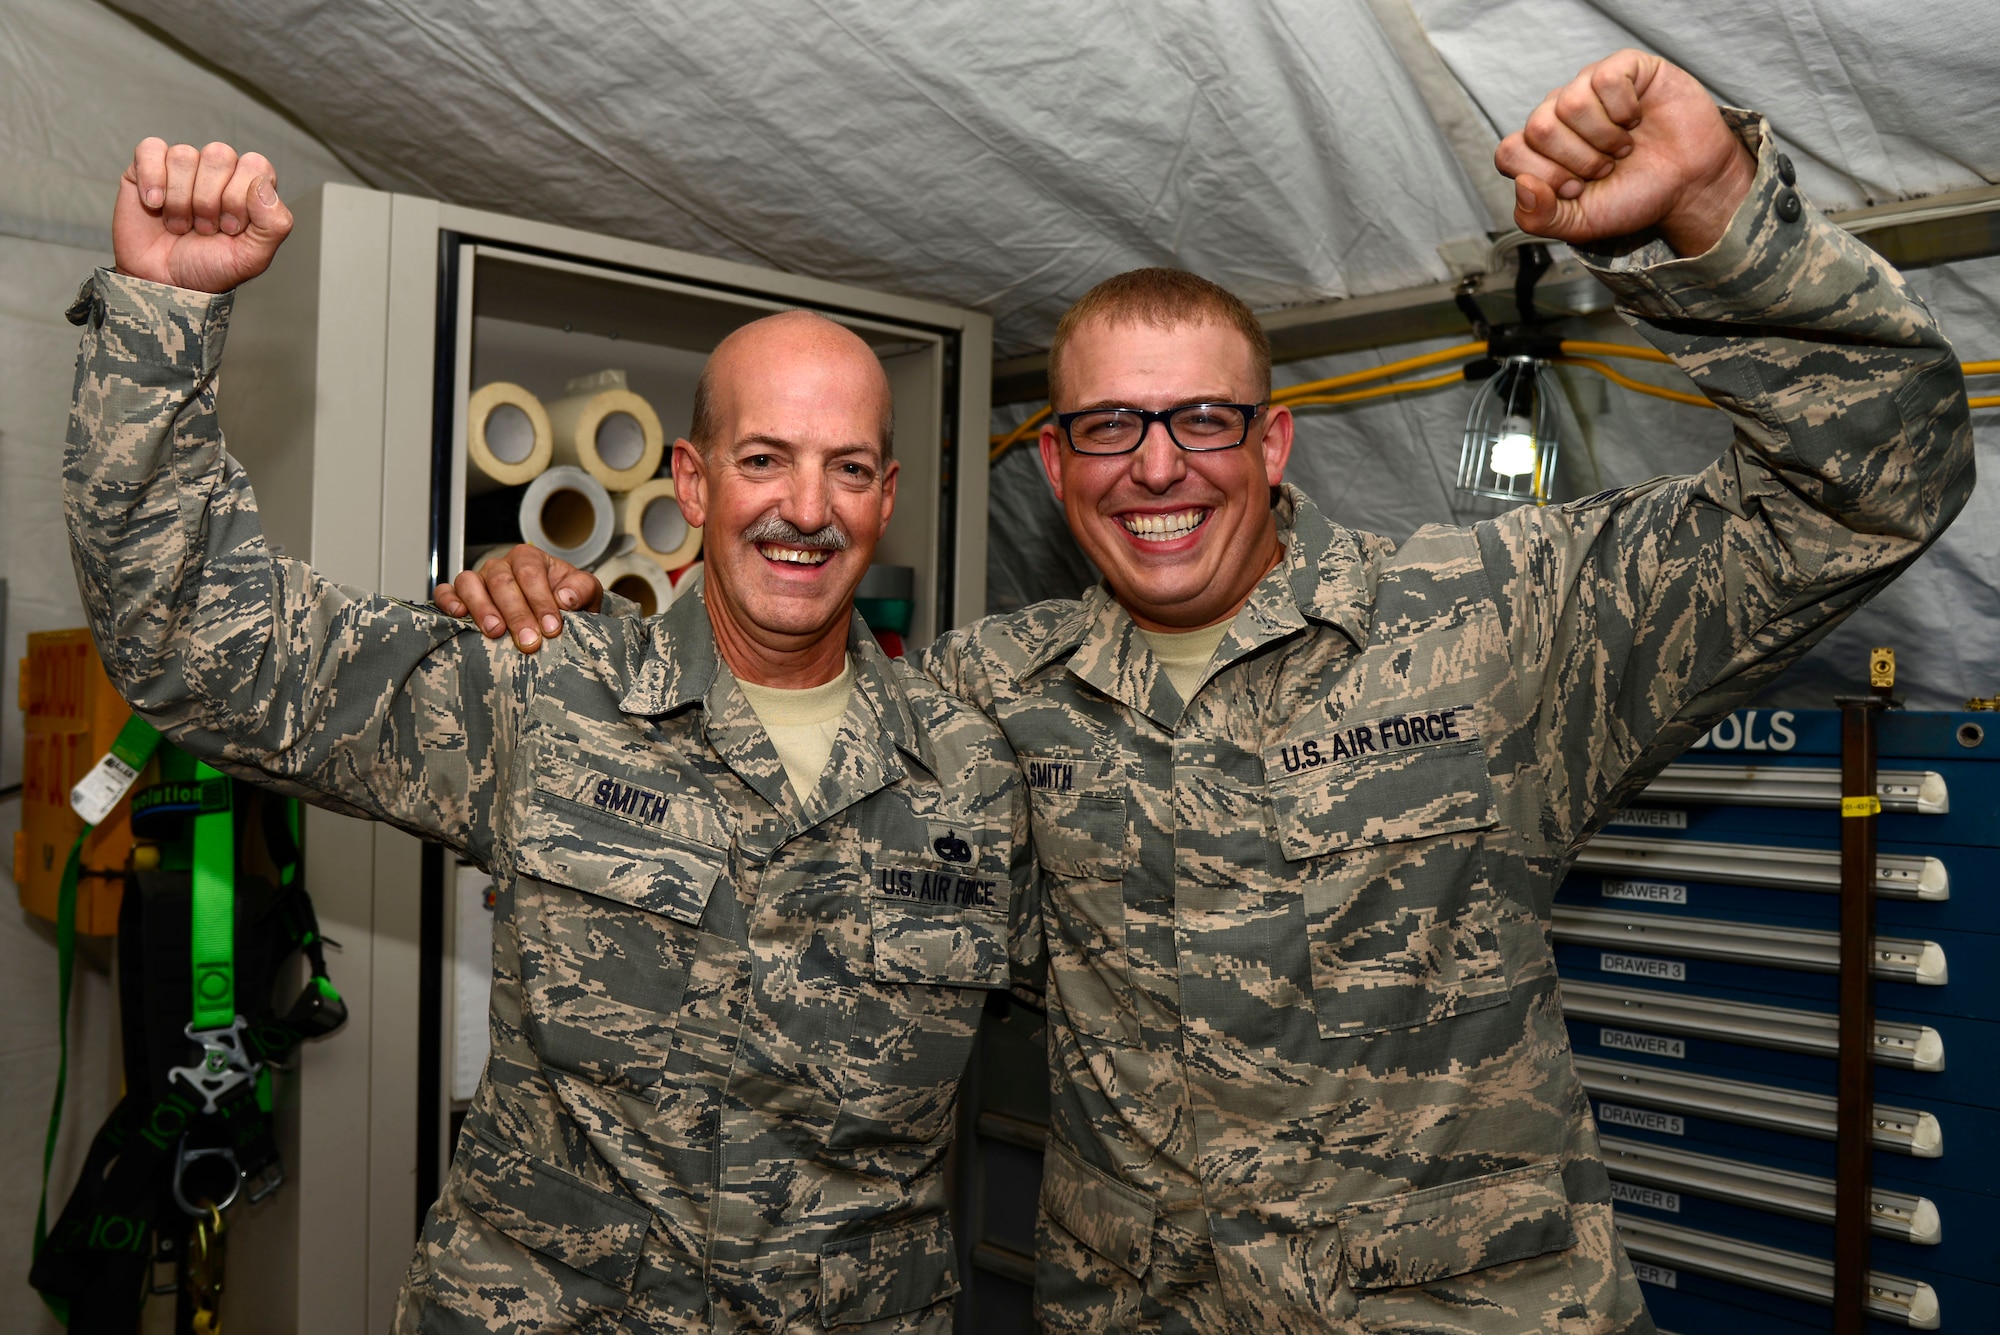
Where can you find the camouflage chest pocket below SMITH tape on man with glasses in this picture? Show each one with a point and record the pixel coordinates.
(1079, 822)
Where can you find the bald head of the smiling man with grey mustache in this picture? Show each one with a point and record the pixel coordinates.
(793, 493)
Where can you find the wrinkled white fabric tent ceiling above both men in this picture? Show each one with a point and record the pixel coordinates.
(1011, 155)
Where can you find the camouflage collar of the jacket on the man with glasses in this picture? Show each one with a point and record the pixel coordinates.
(1327, 575)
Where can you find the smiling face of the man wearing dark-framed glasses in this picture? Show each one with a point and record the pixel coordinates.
(1181, 539)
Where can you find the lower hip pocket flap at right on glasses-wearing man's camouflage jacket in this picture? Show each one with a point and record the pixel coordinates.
(1467, 1226)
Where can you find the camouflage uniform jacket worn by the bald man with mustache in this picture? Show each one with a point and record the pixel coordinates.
(729, 1022)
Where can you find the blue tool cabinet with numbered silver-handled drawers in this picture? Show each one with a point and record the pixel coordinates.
(1701, 1022)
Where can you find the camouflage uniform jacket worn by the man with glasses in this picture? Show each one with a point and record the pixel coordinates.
(1301, 990)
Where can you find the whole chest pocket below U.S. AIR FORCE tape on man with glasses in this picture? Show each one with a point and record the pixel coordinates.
(1401, 916)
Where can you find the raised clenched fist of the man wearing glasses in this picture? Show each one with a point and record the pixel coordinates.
(1633, 143)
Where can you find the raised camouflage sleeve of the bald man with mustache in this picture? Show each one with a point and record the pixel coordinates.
(245, 659)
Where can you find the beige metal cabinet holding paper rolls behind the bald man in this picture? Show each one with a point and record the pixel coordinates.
(343, 395)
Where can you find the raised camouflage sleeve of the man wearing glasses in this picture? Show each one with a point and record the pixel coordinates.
(1641, 617)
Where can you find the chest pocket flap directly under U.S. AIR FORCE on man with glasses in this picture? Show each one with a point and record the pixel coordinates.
(1383, 800)
